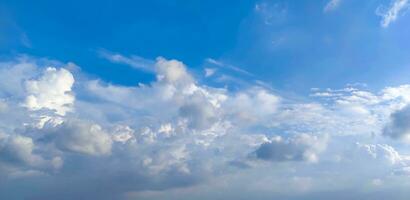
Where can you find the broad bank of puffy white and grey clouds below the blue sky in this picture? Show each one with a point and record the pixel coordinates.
(65, 136)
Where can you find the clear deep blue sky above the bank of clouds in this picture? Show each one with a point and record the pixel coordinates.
(290, 45)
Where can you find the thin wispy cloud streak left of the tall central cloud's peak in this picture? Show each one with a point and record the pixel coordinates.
(133, 61)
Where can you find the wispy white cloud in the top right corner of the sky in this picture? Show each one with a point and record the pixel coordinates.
(391, 13)
